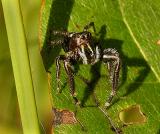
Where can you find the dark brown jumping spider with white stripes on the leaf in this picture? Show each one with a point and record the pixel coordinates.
(79, 47)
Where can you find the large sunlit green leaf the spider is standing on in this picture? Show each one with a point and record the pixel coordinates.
(131, 27)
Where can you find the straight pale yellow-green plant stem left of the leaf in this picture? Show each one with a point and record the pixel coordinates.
(21, 66)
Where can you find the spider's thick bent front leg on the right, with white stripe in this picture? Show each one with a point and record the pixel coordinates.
(112, 59)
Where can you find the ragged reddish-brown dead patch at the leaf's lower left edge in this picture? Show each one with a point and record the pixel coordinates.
(63, 117)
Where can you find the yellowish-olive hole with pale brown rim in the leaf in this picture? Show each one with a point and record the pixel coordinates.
(132, 115)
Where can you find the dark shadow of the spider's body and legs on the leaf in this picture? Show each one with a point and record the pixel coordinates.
(126, 61)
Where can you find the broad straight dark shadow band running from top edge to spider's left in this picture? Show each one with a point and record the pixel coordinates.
(58, 20)
